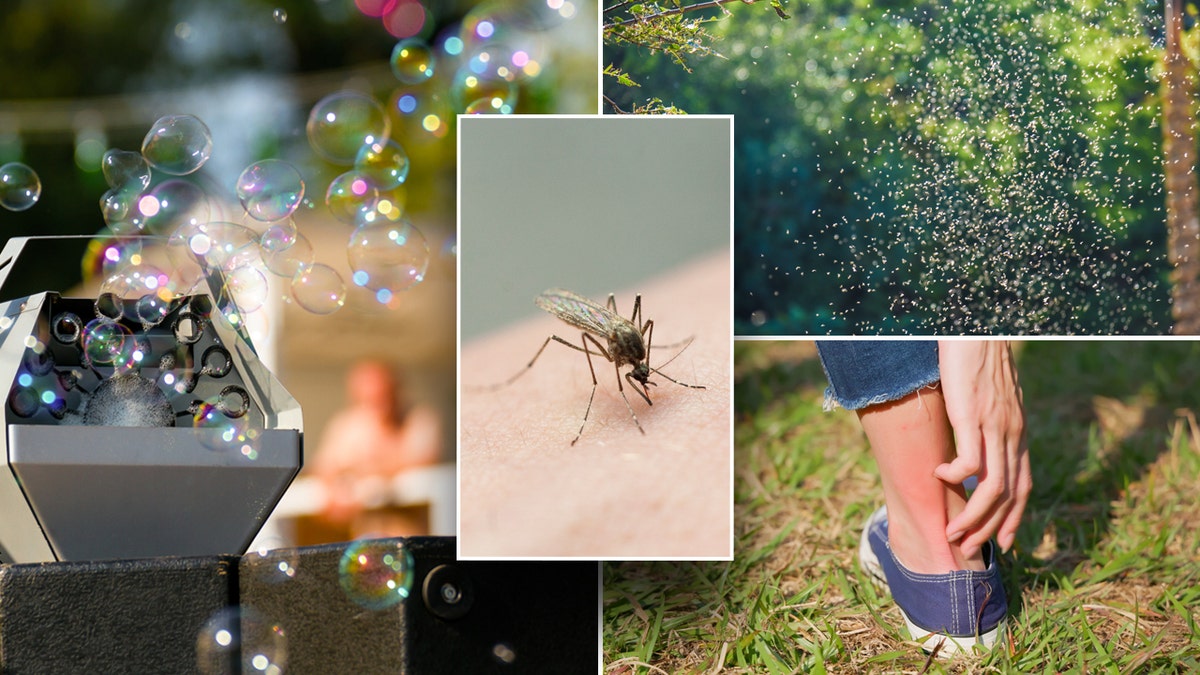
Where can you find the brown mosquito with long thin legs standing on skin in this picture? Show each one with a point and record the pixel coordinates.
(621, 343)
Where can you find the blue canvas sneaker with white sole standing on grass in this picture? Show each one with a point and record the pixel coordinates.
(956, 612)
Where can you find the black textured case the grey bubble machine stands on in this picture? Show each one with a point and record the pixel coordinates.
(241, 614)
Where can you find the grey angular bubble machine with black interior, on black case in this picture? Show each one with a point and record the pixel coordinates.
(134, 440)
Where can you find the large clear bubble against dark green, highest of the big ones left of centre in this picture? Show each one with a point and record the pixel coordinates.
(340, 124)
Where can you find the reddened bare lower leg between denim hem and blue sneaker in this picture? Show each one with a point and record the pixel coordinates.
(909, 439)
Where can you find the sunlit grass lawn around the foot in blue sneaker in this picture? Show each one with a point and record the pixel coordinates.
(1105, 577)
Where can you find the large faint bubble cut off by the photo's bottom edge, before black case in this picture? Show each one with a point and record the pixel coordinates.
(241, 640)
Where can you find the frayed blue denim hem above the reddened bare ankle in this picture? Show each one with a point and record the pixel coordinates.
(866, 373)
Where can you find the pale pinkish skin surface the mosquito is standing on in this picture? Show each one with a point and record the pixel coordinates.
(617, 494)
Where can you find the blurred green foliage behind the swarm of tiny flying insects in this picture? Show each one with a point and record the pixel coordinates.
(937, 166)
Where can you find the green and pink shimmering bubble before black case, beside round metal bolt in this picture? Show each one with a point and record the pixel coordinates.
(377, 574)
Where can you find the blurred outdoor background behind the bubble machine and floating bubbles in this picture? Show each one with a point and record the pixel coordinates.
(81, 79)
